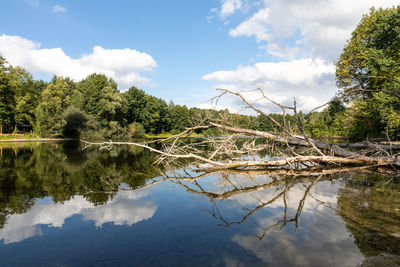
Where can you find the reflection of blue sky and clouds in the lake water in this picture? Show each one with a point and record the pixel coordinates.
(165, 225)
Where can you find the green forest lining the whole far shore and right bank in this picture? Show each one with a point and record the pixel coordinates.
(366, 105)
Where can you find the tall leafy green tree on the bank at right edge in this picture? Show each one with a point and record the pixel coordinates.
(368, 70)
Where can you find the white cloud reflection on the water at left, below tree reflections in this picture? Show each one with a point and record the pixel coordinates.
(125, 209)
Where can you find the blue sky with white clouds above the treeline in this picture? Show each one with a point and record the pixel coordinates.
(182, 50)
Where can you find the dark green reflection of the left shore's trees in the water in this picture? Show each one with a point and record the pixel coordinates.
(61, 171)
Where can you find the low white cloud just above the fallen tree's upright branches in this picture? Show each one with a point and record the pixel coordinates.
(309, 80)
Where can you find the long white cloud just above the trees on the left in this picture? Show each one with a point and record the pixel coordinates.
(123, 65)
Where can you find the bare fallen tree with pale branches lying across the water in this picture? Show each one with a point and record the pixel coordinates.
(237, 148)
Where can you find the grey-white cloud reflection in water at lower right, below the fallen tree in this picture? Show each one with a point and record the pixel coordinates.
(321, 237)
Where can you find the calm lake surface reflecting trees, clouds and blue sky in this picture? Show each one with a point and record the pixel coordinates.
(60, 205)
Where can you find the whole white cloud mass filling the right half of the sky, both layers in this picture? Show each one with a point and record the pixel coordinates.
(307, 36)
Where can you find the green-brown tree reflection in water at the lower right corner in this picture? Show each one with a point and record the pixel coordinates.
(370, 207)
